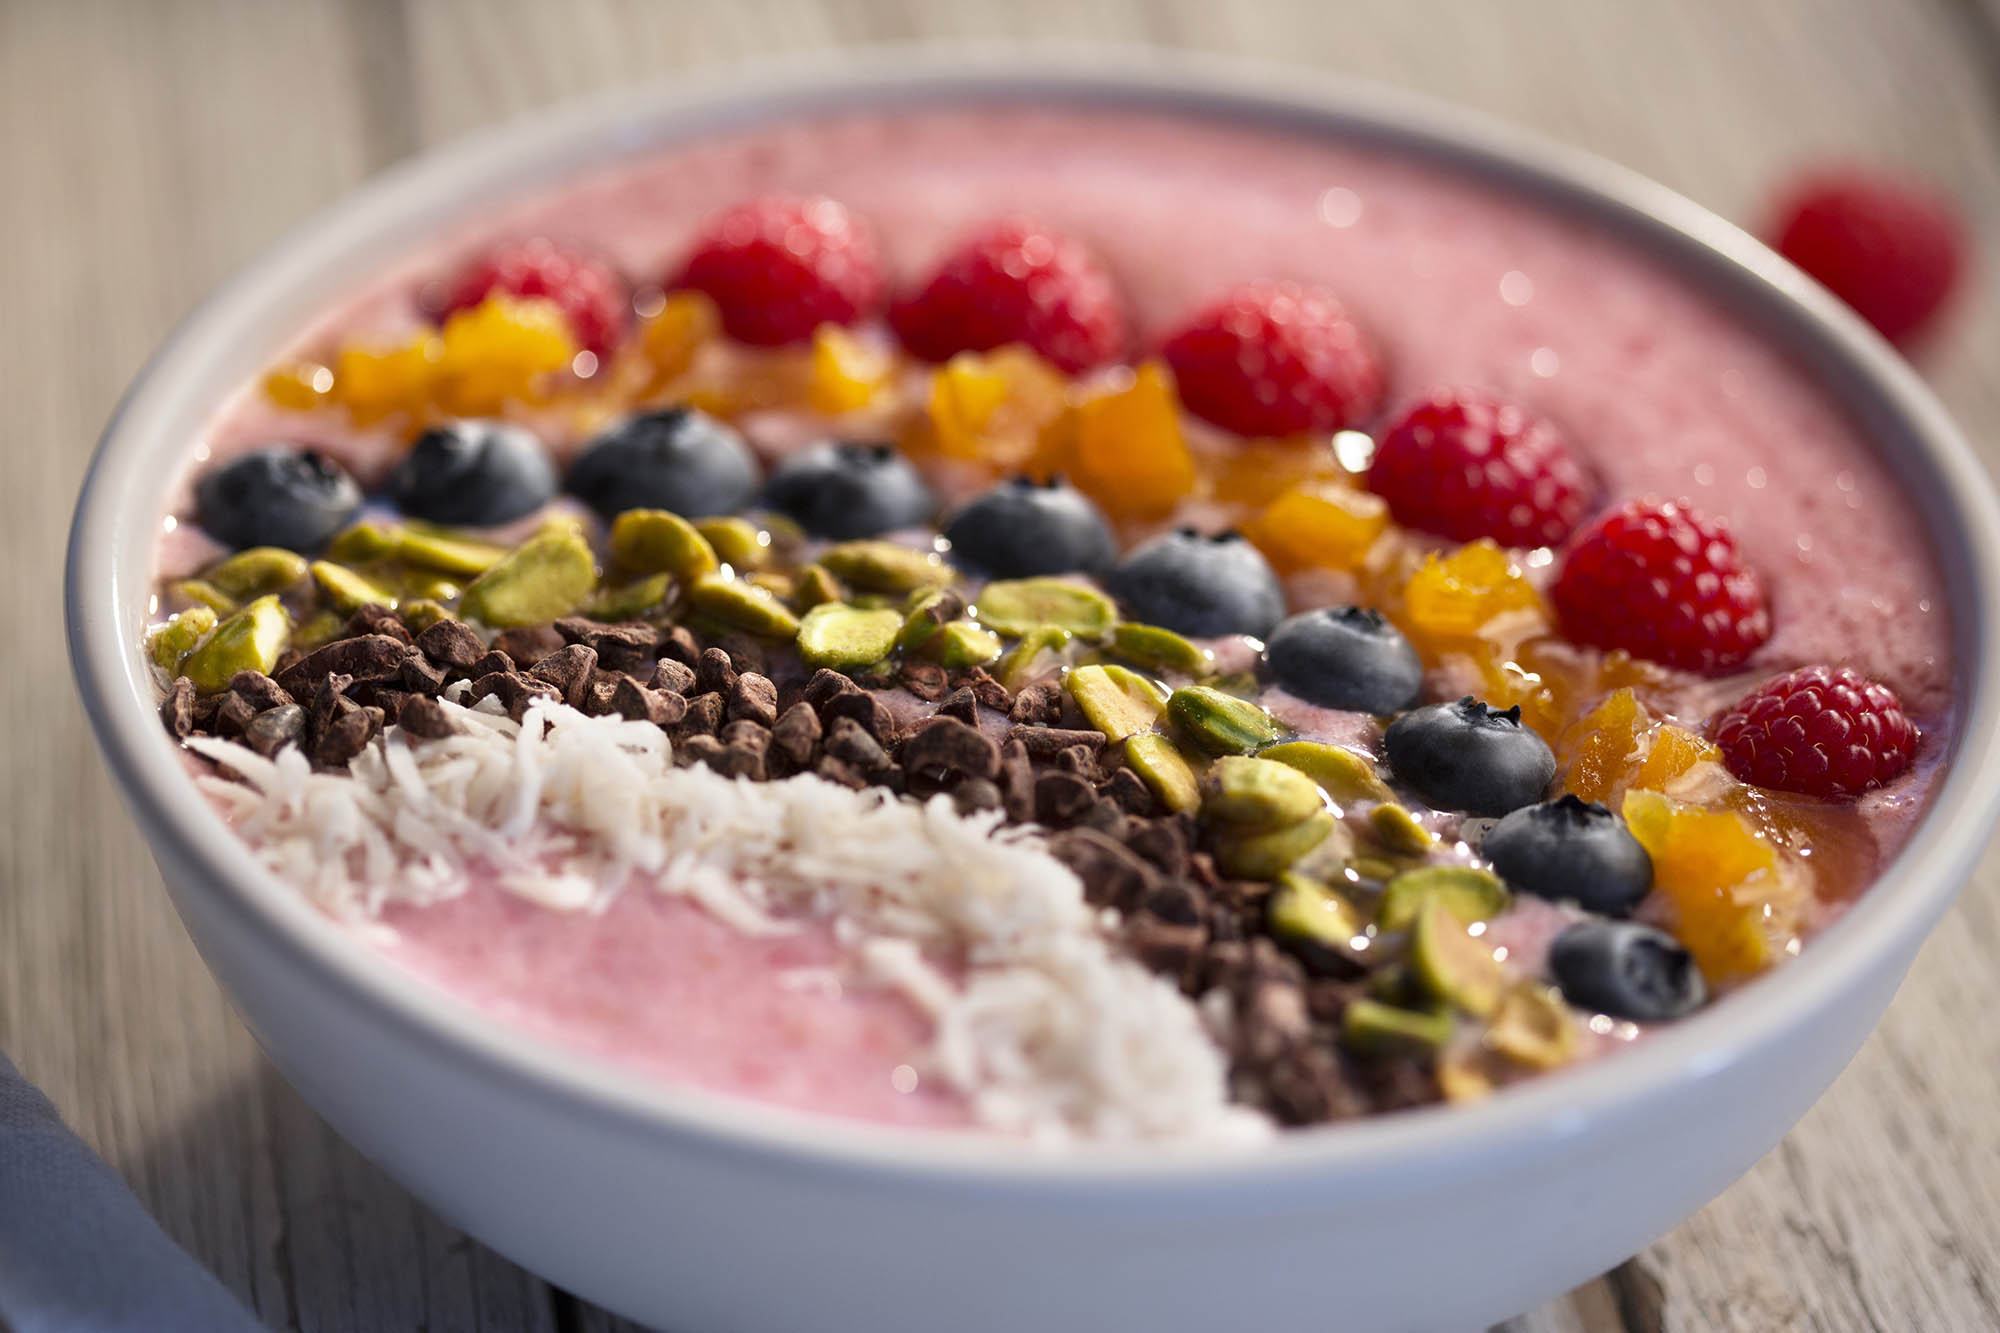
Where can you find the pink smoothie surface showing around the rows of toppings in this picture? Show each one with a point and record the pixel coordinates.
(1461, 285)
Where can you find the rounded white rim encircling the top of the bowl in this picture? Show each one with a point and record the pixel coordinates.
(1945, 479)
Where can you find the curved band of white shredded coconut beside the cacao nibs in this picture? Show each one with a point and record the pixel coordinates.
(1039, 1022)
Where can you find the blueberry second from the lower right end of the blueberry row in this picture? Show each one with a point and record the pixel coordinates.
(1571, 852)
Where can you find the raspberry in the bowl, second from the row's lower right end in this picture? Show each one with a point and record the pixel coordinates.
(1665, 583)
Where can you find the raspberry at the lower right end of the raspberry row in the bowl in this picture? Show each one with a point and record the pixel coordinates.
(1823, 732)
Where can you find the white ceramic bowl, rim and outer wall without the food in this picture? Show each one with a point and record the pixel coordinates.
(701, 1212)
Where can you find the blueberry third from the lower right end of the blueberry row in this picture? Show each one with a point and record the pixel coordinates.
(1471, 758)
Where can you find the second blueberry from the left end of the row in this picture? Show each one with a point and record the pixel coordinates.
(475, 473)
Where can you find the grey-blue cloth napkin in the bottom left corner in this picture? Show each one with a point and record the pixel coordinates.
(77, 1250)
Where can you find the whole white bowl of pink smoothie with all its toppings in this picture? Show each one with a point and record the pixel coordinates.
(949, 692)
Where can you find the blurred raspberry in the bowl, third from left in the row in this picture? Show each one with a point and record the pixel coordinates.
(1017, 283)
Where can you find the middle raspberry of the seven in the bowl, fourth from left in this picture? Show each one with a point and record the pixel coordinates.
(1279, 359)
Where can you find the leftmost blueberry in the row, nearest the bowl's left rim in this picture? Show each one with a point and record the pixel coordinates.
(277, 497)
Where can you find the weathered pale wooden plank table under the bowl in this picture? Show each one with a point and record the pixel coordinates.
(149, 147)
